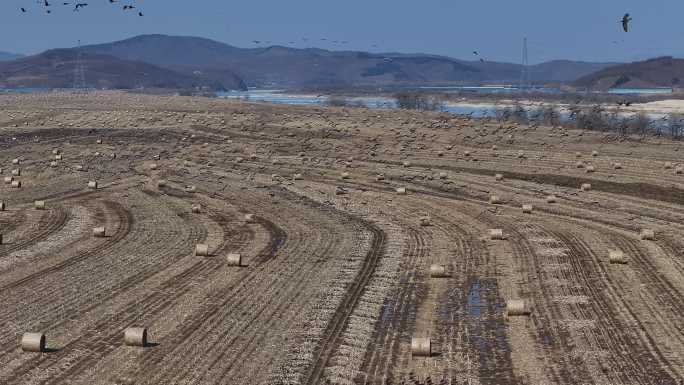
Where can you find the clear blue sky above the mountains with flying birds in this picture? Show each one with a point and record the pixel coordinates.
(556, 29)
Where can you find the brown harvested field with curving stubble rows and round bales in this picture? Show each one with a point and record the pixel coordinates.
(333, 279)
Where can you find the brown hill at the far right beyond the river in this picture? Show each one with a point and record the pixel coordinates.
(659, 72)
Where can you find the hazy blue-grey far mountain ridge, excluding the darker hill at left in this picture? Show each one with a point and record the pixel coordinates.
(312, 67)
